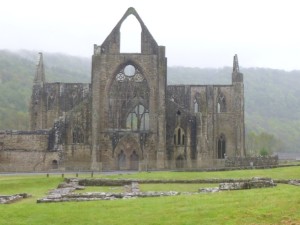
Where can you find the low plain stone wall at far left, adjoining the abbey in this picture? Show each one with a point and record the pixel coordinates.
(25, 151)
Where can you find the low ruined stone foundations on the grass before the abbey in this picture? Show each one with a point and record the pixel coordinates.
(65, 191)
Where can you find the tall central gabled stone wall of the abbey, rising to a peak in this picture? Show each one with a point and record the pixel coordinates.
(112, 103)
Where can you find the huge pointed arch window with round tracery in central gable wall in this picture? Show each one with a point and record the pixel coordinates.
(128, 100)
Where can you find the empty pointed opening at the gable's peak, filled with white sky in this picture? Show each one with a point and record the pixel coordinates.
(130, 34)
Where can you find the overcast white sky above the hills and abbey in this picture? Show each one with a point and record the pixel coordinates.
(197, 33)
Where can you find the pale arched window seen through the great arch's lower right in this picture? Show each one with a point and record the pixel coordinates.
(138, 118)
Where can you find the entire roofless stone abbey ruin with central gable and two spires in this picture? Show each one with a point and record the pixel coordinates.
(128, 118)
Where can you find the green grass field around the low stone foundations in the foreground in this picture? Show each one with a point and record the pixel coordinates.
(279, 205)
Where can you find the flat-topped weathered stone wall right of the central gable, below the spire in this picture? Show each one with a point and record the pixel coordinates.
(204, 124)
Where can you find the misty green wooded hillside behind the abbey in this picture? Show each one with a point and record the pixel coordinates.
(272, 104)
